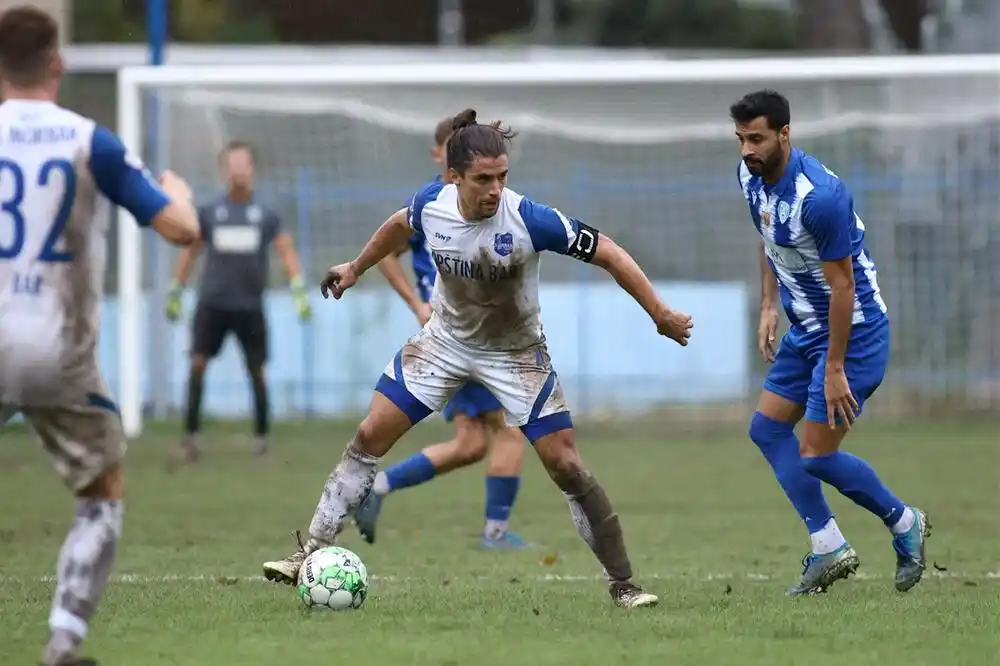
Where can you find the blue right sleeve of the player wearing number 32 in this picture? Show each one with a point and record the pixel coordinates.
(123, 179)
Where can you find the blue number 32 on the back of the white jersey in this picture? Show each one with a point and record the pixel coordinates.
(15, 224)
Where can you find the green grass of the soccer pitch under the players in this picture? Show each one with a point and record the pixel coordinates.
(708, 530)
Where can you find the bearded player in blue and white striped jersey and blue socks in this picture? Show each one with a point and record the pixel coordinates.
(835, 353)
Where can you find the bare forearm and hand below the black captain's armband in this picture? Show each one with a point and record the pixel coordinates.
(623, 268)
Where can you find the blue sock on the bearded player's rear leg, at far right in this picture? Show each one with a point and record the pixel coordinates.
(857, 481)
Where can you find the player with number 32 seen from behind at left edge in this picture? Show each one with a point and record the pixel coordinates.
(58, 174)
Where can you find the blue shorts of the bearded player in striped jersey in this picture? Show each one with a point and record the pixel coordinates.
(799, 367)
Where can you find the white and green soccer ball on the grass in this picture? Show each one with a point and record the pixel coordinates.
(333, 578)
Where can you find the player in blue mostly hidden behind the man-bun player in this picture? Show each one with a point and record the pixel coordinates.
(478, 415)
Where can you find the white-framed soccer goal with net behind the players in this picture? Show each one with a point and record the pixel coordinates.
(644, 151)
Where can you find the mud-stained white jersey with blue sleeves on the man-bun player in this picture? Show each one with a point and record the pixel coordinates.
(486, 291)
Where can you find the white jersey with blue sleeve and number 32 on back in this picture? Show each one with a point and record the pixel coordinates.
(59, 174)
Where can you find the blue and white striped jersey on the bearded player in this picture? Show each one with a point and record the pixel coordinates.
(806, 219)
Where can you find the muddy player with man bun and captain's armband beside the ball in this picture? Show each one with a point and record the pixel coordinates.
(486, 241)
